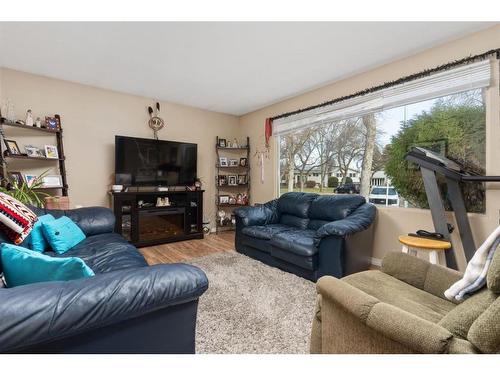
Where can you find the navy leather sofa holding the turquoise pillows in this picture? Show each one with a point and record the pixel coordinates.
(127, 307)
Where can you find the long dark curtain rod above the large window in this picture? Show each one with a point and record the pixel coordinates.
(411, 77)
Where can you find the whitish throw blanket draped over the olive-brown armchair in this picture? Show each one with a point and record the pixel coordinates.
(475, 274)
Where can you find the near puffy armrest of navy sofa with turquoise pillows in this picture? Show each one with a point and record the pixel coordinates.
(42, 312)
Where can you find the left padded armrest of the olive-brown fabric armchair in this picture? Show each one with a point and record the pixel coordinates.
(398, 325)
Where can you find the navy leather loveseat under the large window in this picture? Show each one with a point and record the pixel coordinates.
(309, 235)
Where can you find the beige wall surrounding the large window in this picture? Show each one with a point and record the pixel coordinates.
(392, 221)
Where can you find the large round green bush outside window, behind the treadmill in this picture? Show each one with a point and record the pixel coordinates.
(455, 128)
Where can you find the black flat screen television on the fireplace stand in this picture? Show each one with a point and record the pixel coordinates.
(150, 162)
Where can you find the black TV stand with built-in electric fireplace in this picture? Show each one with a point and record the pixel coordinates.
(142, 222)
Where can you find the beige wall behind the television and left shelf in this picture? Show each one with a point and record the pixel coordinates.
(91, 117)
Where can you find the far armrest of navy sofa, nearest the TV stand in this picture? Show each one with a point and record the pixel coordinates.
(91, 220)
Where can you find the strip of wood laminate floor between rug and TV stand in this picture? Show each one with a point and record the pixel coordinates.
(186, 250)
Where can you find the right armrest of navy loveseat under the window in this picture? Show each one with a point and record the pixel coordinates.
(359, 220)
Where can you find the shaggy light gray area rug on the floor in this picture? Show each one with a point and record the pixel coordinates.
(250, 307)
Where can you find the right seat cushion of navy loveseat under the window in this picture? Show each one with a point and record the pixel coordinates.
(298, 242)
